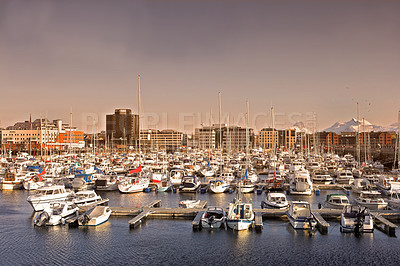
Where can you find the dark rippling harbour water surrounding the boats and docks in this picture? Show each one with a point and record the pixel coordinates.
(172, 241)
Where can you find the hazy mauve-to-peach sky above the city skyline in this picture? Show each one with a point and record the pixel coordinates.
(301, 56)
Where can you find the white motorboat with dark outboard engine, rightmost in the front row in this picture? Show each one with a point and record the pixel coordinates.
(356, 219)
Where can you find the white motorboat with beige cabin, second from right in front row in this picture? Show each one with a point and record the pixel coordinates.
(300, 216)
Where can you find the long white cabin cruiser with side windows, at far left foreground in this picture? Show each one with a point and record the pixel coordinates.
(48, 194)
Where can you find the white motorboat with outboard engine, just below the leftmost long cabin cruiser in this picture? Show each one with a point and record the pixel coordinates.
(56, 213)
